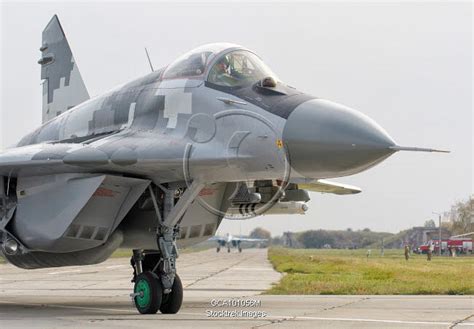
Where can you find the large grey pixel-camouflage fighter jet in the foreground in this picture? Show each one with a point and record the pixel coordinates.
(157, 163)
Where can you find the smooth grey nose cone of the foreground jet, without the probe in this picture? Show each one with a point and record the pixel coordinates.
(325, 139)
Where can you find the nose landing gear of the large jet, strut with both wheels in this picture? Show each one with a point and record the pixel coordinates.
(157, 285)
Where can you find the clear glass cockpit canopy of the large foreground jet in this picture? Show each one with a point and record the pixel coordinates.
(222, 64)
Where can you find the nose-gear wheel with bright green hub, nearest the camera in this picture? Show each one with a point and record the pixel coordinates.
(149, 293)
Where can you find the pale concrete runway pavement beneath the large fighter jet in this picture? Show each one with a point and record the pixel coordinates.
(98, 297)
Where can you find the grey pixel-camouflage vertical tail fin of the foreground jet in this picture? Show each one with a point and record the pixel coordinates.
(63, 87)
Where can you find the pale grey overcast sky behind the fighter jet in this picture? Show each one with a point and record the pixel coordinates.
(408, 66)
